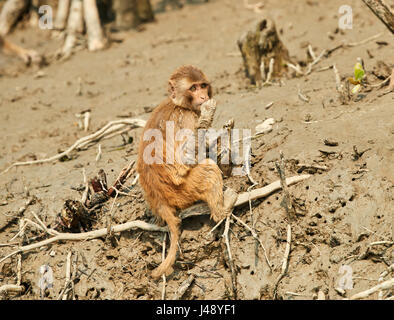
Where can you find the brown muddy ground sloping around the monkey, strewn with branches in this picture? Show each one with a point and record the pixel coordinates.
(340, 210)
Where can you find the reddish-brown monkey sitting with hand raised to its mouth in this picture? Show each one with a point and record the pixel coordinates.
(173, 184)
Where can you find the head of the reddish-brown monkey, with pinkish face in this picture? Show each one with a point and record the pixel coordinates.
(189, 88)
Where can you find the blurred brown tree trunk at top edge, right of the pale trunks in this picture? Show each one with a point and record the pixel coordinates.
(131, 13)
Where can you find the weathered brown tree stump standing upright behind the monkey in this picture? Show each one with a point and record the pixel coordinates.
(258, 45)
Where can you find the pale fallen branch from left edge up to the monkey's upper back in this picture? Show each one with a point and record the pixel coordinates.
(111, 127)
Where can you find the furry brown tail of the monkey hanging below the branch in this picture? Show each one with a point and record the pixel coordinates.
(168, 215)
